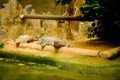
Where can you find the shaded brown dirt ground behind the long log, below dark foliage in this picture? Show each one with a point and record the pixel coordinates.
(95, 44)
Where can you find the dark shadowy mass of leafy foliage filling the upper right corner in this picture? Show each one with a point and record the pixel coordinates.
(104, 11)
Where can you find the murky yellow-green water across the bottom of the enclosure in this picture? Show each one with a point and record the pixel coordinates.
(11, 69)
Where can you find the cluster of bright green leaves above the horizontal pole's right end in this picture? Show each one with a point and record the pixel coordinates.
(91, 10)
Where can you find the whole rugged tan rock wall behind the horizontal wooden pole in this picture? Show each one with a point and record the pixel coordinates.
(42, 27)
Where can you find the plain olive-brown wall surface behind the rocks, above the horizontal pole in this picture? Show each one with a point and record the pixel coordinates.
(40, 6)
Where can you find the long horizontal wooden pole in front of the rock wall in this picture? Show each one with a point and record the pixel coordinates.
(51, 17)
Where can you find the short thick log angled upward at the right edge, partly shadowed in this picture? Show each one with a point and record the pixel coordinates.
(111, 53)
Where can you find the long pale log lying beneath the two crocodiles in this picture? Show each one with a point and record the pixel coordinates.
(84, 52)
